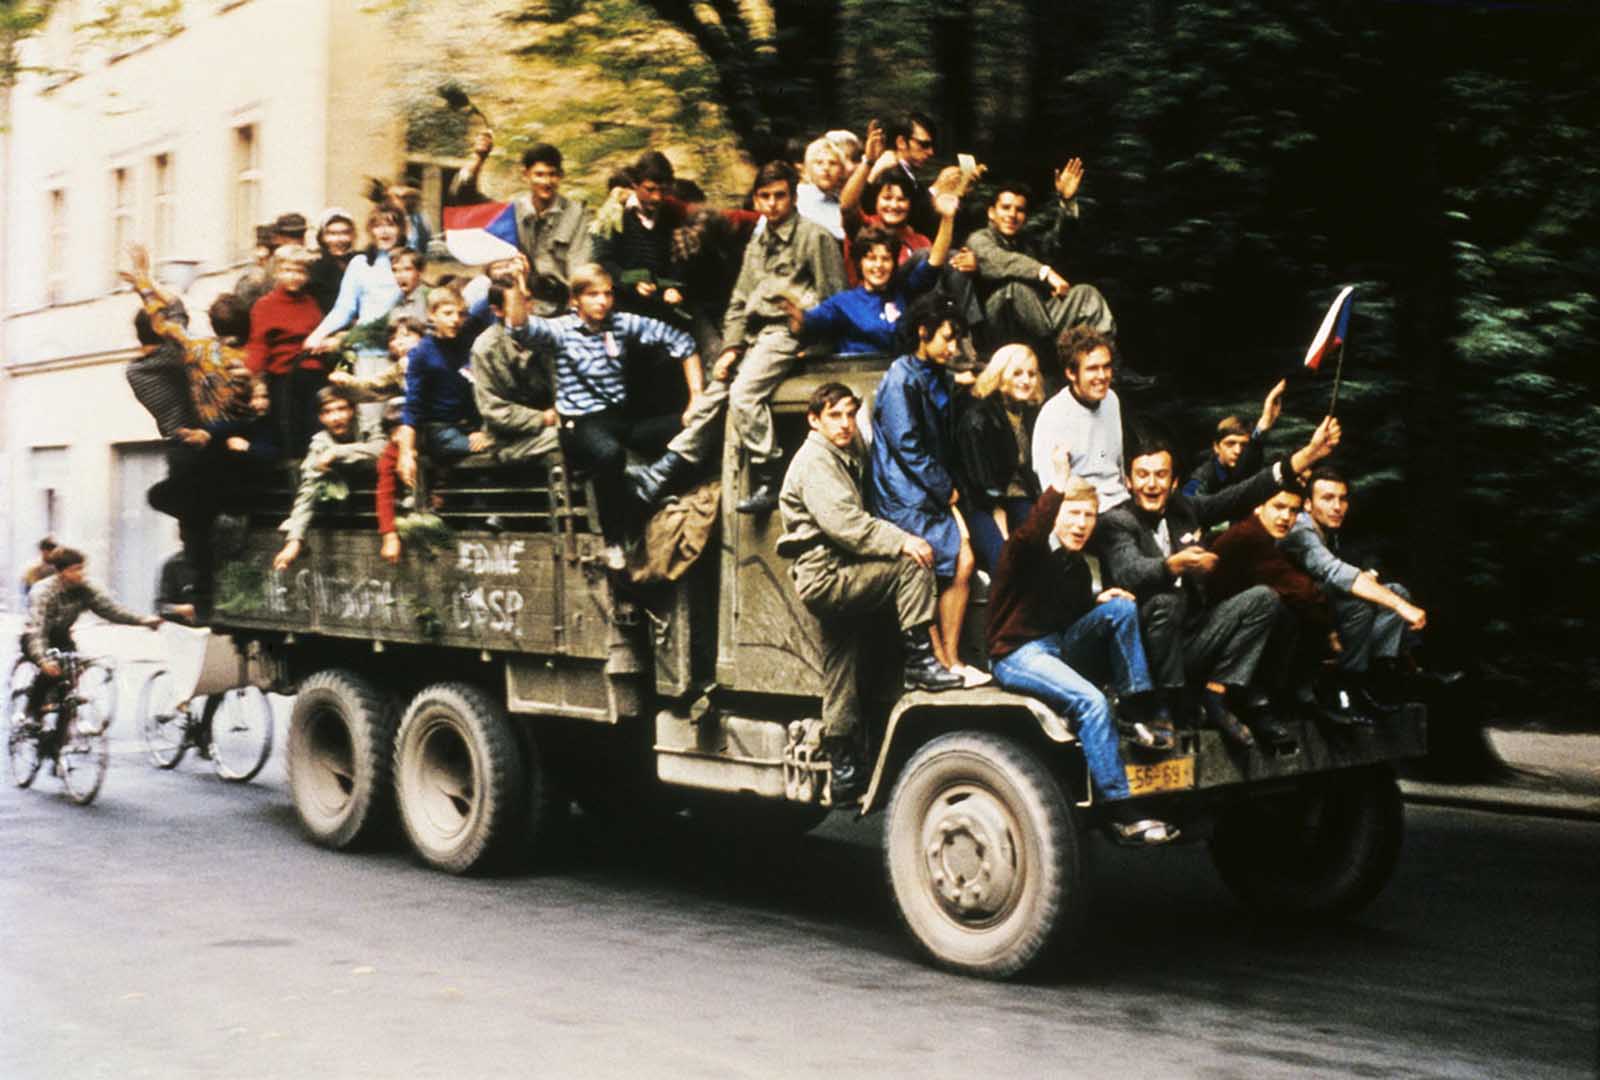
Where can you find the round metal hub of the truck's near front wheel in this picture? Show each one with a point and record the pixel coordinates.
(970, 849)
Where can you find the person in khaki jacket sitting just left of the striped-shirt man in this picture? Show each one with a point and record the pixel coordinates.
(511, 383)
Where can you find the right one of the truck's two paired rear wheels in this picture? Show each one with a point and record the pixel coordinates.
(458, 778)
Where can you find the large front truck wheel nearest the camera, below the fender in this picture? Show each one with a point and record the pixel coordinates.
(983, 855)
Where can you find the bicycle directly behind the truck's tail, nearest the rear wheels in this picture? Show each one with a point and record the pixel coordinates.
(233, 729)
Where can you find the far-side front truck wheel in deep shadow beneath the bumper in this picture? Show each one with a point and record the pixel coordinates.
(1326, 850)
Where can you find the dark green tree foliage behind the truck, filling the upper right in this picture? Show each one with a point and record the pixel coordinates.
(1244, 161)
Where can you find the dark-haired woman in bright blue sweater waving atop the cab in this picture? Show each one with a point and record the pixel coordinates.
(863, 319)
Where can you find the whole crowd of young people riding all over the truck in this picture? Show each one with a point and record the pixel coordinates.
(591, 343)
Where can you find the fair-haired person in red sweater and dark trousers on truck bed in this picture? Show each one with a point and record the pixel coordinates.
(279, 326)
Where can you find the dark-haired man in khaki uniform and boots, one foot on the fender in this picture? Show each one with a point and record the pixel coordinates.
(849, 564)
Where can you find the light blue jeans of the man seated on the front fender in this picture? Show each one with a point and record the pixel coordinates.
(1102, 644)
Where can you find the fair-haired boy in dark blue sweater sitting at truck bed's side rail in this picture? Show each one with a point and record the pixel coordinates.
(439, 391)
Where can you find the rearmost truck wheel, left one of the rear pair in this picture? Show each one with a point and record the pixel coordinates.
(340, 758)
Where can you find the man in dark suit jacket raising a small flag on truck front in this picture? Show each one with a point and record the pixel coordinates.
(1153, 550)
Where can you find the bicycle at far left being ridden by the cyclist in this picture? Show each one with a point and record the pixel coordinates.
(71, 730)
